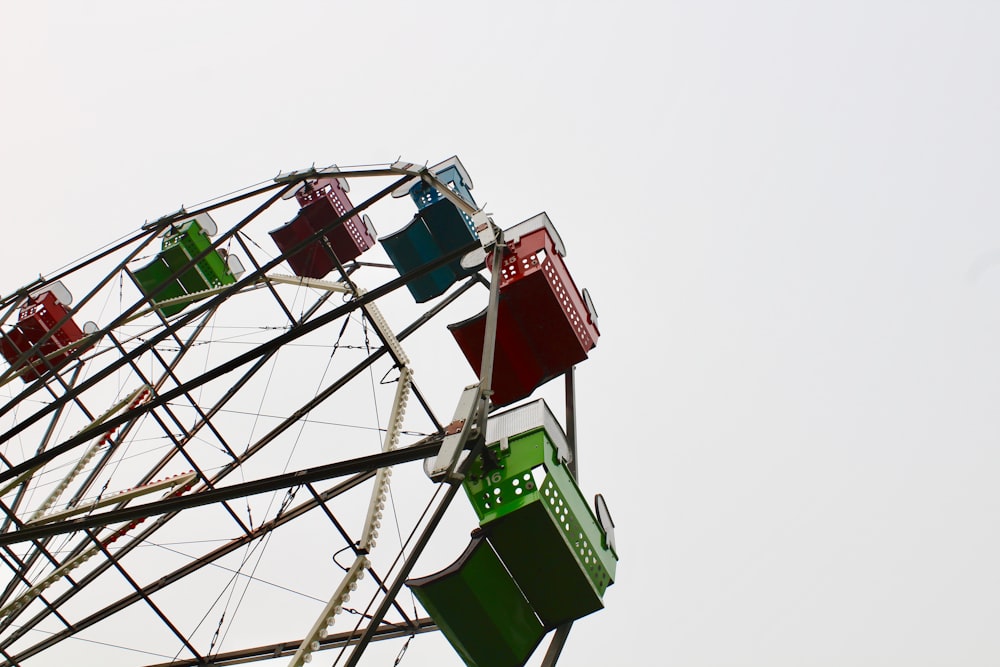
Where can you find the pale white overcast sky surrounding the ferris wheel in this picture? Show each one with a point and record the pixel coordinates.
(785, 213)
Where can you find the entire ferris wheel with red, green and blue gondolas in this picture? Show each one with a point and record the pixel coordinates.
(198, 450)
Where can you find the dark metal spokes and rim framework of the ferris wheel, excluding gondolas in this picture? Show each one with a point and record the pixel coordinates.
(154, 427)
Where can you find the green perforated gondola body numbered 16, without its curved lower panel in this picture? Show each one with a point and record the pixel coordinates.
(542, 527)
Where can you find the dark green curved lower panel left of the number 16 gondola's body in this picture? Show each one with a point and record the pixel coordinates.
(480, 609)
